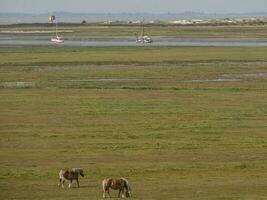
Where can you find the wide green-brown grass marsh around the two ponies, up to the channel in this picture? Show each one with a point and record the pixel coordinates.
(178, 122)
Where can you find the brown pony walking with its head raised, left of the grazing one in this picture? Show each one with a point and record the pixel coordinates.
(70, 175)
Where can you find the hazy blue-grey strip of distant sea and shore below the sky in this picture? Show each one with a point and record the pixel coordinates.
(68, 17)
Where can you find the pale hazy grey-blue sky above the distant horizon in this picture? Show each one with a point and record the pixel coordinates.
(152, 6)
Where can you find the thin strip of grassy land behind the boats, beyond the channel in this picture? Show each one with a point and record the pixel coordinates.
(108, 31)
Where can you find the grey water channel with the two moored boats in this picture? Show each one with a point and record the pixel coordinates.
(24, 40)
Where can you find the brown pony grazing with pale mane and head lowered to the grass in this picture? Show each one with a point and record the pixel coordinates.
(120, 184)
